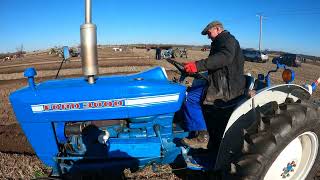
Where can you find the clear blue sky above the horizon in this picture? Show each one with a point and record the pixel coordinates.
(290, 25)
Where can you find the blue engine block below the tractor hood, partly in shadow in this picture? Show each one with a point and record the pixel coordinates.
(137, 137)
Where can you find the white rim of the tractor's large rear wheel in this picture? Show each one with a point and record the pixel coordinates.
(296, 159)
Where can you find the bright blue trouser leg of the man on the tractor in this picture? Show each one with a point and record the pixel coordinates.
(193, 116)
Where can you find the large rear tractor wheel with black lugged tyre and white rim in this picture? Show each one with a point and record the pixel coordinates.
(283, 143)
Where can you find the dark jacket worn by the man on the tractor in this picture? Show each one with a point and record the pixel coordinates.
(225, 69)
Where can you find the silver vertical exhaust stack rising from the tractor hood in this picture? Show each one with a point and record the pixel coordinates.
(89, 55)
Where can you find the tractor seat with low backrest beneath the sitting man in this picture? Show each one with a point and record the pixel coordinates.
(248, 93)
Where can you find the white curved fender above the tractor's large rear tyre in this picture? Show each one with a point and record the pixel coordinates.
(241, 117)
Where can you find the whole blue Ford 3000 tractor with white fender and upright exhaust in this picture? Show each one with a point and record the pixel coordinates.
(104, 124)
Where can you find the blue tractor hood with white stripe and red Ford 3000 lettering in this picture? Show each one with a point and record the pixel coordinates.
(111, 97)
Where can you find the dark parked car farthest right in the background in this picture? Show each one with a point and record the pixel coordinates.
(293, 60)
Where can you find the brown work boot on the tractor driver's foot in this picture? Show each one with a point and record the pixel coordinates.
(201, 140)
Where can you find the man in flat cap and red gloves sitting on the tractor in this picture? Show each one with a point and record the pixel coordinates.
(225, 81)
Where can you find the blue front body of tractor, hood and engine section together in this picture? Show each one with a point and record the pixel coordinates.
(135, 112)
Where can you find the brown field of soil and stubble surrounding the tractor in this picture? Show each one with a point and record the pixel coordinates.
(17, 158)
